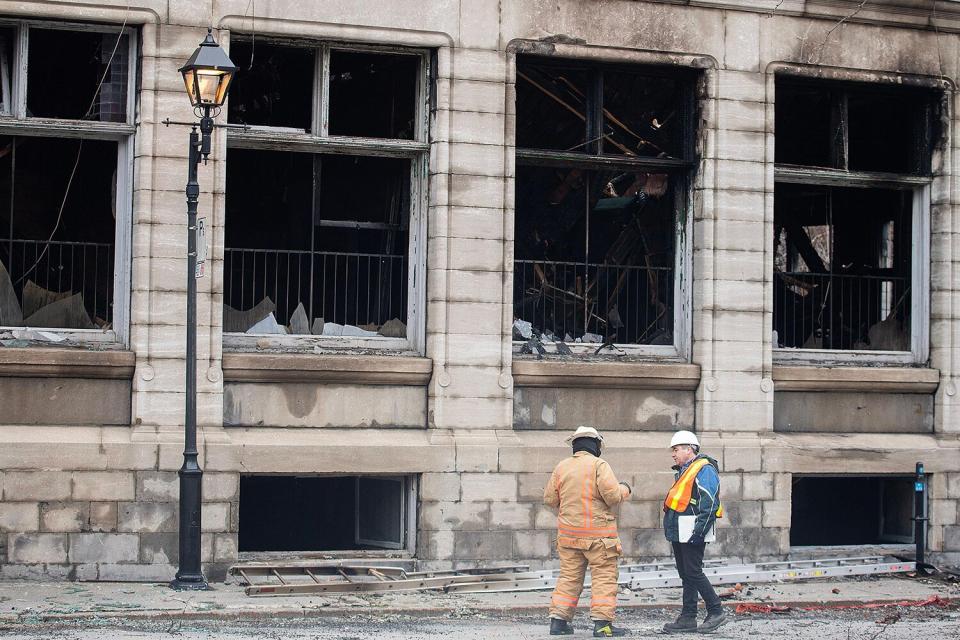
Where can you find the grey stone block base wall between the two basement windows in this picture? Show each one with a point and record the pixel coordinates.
(473, 519)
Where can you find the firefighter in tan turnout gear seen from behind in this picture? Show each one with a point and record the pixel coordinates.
(585, 491)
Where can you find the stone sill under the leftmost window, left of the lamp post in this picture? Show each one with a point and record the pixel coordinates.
(43, 362)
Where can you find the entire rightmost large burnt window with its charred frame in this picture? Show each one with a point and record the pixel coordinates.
(851, 221)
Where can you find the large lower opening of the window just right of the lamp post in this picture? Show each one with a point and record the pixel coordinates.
(333, 259)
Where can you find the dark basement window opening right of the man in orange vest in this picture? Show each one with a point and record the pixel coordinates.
(851, 510)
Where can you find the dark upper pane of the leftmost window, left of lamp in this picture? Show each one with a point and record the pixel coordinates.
(78, 60)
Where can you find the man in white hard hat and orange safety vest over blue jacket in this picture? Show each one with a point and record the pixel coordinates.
(691, 509)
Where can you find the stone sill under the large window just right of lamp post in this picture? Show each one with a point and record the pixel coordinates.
(331, 369)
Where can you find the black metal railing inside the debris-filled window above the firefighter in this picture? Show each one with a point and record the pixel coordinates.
(624, 304)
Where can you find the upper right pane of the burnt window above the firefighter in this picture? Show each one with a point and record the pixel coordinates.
(643, 115)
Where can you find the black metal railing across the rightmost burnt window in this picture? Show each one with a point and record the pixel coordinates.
(842, 311)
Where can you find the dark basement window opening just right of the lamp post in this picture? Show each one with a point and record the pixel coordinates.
(325, 513)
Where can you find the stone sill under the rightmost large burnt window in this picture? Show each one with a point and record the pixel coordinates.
(862, 379)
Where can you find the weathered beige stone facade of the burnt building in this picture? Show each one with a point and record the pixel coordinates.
(91, 437)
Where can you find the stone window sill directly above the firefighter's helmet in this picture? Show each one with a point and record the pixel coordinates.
(606, 375)
